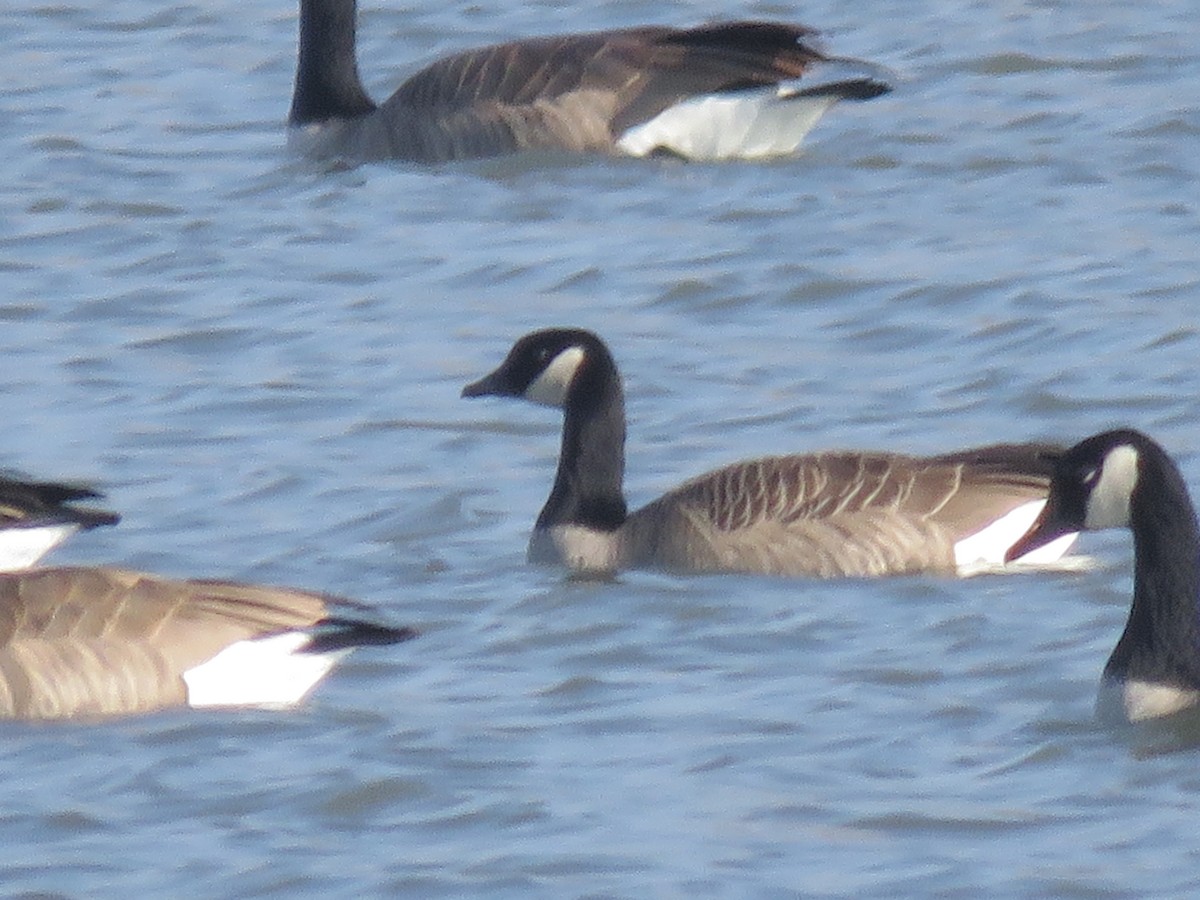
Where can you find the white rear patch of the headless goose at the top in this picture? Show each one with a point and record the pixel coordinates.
(747, 125)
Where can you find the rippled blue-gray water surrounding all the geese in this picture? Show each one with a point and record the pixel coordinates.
(260, 359)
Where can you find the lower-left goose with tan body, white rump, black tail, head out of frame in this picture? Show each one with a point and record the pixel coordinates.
(92, 643)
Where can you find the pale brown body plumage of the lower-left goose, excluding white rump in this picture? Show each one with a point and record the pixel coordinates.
(89, 643)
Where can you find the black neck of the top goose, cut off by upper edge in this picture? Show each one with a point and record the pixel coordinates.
(328, 85)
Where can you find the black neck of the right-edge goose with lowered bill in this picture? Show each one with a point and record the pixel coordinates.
(1161, 643)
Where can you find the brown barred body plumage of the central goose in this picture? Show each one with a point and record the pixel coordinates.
(833, 514)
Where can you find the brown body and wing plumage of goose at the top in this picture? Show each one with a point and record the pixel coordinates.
(580, 93)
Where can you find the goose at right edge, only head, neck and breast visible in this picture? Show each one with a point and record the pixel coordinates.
(1123, 479)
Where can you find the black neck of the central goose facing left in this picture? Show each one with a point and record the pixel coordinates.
(592, 461)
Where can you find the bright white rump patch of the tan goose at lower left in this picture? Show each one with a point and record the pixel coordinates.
(267, 673)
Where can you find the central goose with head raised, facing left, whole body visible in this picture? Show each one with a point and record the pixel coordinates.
(826, 514)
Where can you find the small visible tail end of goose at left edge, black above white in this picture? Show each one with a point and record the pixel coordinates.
(37, 517)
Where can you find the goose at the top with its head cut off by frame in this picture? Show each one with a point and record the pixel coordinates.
(718, 92)
